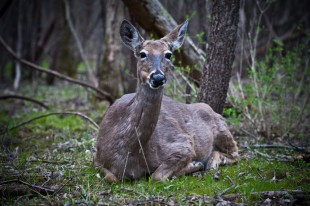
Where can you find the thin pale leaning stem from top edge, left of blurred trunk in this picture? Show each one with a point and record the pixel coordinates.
(78, 42)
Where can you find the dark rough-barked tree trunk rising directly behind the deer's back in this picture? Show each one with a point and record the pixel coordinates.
(220, 54)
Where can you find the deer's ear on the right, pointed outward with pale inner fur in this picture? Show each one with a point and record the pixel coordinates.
(176, 37)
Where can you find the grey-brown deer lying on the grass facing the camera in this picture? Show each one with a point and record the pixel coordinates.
(147, 133)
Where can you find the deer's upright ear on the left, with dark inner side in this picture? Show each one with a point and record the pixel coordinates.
(130, 36)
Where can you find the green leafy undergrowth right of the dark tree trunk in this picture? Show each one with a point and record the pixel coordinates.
(274, 101)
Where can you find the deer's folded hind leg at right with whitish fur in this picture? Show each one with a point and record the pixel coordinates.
(225, 150)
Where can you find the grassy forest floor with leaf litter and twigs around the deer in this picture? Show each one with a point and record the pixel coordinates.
(49, 162)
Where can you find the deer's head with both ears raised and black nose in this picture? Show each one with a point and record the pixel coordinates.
(154, 57)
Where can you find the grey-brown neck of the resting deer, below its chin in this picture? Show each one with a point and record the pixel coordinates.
(146, 108)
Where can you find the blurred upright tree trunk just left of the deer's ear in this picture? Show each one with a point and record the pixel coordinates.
(109, 72)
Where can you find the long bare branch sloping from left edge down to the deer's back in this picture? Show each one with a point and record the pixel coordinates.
(104, 94)
